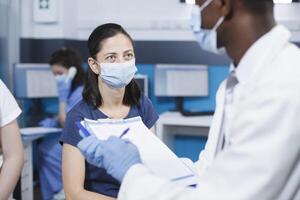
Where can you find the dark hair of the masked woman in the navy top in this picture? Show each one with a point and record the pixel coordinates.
(91, 92)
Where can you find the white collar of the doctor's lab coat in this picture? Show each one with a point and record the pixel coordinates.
(261, 52)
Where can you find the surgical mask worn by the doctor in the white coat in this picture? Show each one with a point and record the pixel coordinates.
(205, 37)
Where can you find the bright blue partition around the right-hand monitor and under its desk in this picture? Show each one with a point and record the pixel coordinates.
(187, 146)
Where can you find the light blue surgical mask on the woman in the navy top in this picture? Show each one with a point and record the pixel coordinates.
(117, 75)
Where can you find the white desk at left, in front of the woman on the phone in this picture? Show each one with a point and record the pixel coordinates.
(28, 136)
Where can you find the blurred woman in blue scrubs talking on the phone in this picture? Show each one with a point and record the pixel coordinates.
(69, 74)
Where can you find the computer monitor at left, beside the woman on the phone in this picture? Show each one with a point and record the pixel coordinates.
(32, 80)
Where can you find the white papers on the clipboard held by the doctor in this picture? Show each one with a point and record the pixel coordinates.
(154, 153)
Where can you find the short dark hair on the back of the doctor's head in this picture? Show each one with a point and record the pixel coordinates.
(258, 7)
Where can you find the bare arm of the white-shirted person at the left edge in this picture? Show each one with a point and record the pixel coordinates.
(13, 158)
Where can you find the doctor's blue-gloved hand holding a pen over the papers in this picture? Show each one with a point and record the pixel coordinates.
(115, 155)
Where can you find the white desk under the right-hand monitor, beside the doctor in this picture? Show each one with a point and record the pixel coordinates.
(174, 123)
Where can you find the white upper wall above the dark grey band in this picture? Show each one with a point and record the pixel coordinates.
(143, 19)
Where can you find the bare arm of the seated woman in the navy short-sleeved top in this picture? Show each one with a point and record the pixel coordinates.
(73, 170)
